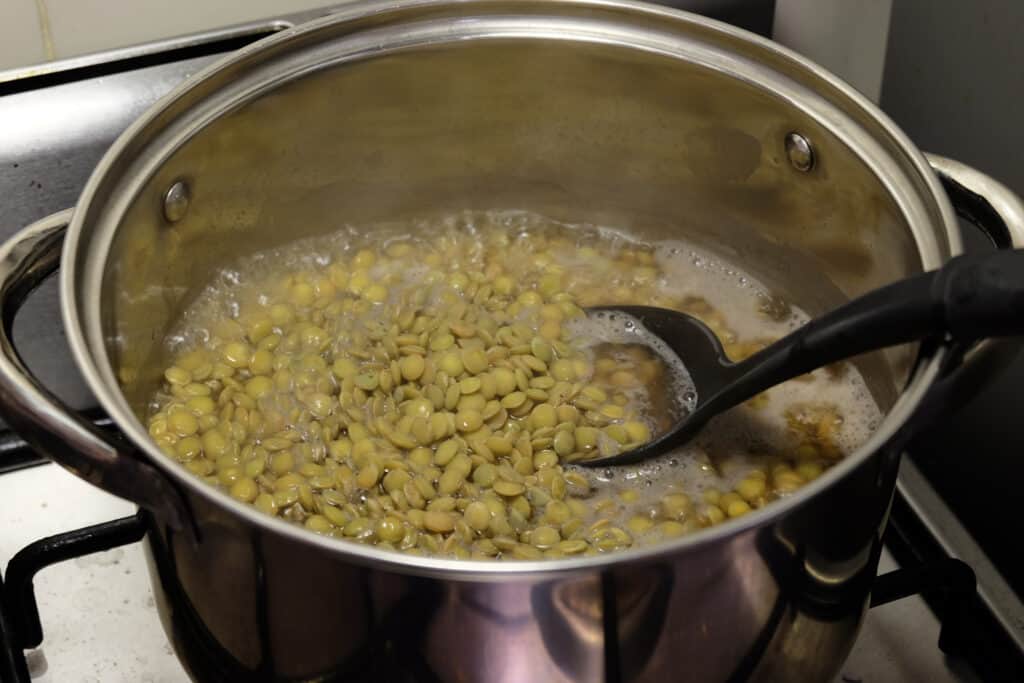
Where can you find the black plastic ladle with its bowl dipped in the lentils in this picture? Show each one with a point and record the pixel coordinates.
(970, 298)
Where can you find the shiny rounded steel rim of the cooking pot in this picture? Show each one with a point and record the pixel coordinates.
(96, 367)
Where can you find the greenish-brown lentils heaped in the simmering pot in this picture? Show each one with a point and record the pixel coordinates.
(430, 395)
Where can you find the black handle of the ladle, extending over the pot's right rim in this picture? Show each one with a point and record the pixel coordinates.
(970, 298)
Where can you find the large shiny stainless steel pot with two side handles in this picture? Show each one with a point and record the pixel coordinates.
(602, 111)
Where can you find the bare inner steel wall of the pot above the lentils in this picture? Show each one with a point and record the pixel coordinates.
(580, 132)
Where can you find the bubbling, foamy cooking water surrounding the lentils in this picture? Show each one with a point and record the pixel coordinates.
(749, 443)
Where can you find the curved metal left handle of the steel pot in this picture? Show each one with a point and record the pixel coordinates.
(40, 418)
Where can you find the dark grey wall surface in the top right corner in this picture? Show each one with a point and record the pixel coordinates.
(955, 81)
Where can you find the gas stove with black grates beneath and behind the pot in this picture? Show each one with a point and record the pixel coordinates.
(944, 612)
